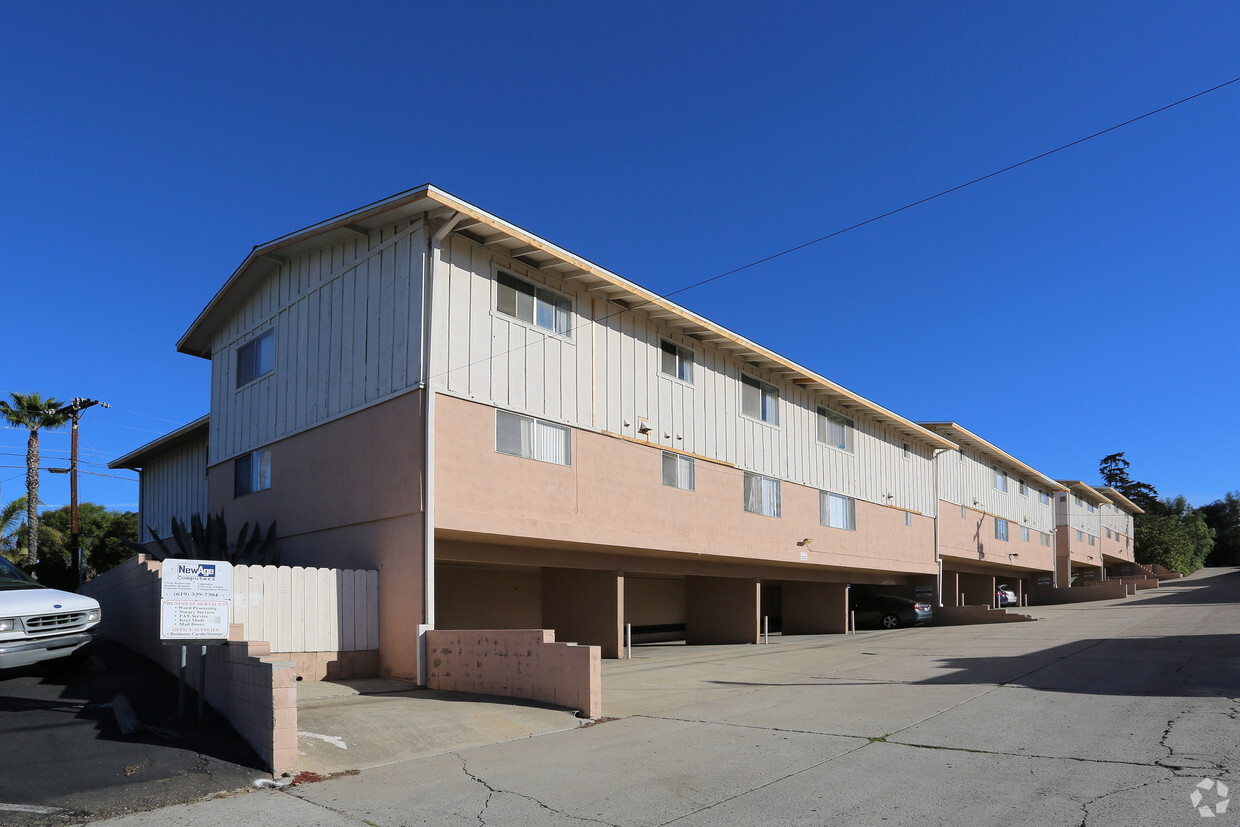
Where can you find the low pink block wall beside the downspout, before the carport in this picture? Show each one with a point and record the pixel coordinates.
(518, 664)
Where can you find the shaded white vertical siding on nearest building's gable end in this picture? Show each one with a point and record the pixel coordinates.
(347, 319)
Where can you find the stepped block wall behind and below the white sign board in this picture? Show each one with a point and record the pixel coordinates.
(251, 689)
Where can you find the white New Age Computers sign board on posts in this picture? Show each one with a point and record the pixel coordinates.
(197, 602)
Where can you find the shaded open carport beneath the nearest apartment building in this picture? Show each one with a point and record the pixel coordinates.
(593, 597)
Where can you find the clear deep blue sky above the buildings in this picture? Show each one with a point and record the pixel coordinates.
(1081, 306)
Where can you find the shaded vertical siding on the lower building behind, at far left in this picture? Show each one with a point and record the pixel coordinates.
(173, 485)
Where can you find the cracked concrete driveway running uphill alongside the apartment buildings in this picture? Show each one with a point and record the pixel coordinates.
(1104, 714)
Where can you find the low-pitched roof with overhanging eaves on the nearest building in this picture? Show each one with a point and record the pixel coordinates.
(446, 213)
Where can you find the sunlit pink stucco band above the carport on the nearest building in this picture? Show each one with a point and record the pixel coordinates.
(612, 498)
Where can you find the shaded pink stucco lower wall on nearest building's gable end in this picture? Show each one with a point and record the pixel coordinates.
(349, 494)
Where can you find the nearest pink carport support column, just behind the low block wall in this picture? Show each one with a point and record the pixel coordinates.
(585, 607)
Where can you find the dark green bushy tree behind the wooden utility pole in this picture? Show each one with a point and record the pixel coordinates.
(102, 536)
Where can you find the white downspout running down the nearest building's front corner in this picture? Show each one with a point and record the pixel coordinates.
(428, 453)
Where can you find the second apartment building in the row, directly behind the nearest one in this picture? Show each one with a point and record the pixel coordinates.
(996, 520)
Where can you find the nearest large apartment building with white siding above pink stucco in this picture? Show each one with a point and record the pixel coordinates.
(519, 438)
